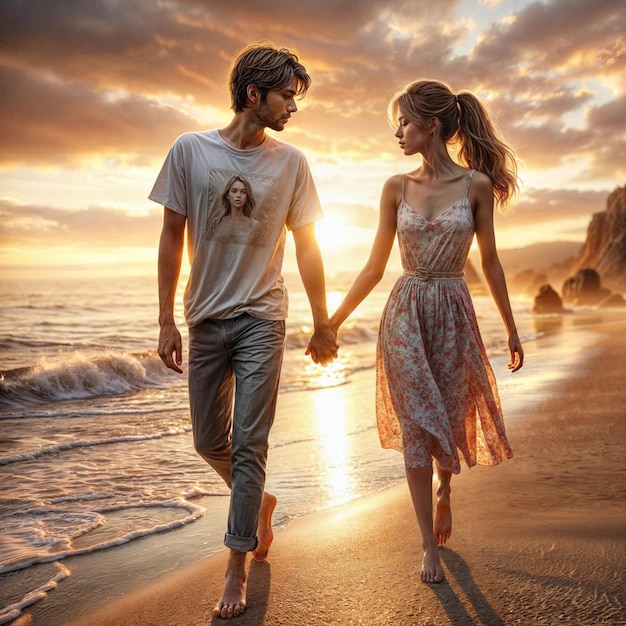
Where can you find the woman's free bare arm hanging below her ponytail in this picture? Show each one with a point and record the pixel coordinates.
(482, 195)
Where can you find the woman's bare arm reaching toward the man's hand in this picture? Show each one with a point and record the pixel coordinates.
(374, 269)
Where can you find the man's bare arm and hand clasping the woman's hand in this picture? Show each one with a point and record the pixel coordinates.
(323, 345)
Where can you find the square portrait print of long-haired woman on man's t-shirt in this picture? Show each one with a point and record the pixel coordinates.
(238, 207)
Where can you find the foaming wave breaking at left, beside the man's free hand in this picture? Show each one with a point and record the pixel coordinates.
(79, 376)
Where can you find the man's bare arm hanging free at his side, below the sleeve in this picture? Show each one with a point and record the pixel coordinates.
(171, 247)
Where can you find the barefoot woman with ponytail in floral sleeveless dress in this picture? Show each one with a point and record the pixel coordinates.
(436, 395)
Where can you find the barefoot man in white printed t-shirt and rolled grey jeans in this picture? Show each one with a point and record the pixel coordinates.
(235, 301)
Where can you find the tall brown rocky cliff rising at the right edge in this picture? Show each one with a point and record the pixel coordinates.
(605, 247)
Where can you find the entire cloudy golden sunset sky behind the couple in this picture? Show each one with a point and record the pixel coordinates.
(94, 92)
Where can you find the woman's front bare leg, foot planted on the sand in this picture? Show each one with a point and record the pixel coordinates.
(420, 485)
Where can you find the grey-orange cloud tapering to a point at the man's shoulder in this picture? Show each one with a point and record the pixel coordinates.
(49, 121)
